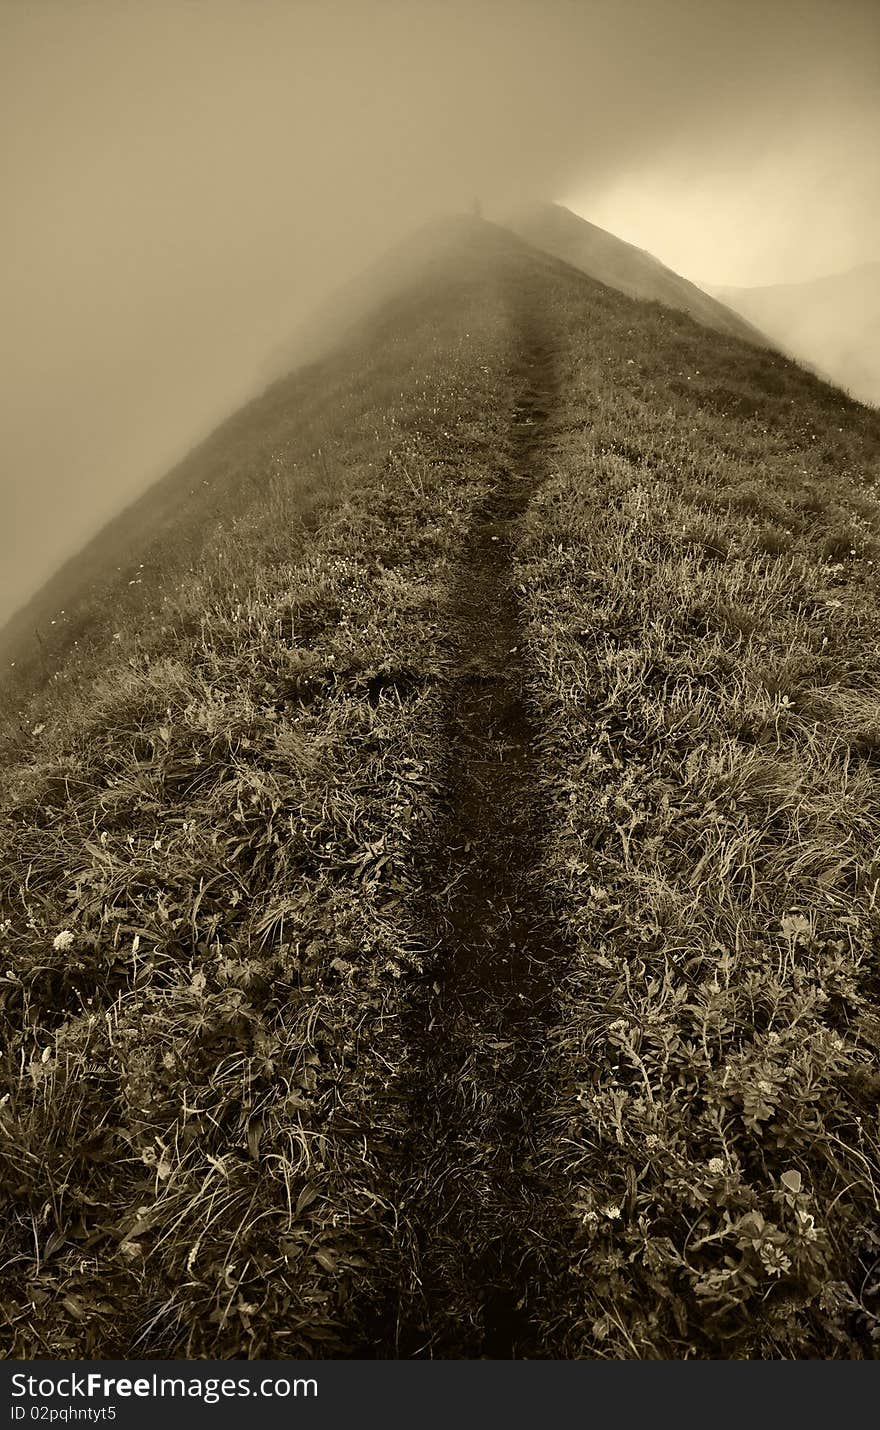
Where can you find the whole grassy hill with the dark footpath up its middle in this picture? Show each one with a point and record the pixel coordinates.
(443, 922)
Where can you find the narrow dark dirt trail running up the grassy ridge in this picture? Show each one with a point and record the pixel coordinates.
(474, 1206)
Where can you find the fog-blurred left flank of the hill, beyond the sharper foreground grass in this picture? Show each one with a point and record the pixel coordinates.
(137, 588)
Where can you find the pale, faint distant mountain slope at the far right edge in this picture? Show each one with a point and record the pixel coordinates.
(833, 324)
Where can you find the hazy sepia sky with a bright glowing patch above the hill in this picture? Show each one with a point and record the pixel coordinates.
(184, 178)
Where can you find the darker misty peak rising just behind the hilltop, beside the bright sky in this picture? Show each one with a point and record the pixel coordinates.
(622, 265)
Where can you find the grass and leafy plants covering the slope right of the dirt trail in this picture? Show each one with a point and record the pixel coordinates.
(703, 618)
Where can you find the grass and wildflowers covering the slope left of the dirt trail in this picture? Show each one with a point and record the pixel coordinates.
(204, 906)
